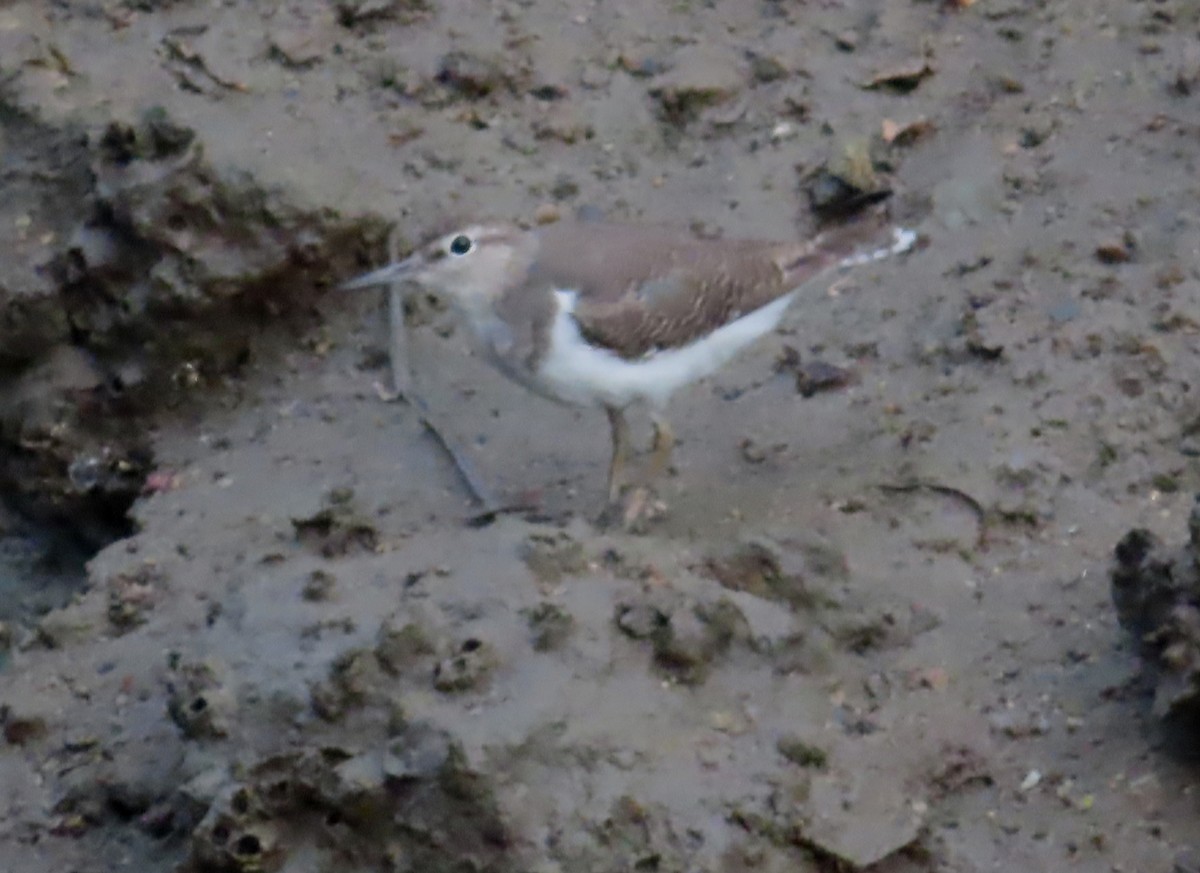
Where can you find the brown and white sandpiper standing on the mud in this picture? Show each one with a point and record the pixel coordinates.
(608, 316)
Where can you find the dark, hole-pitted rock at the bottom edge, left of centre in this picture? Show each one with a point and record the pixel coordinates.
(287, 810)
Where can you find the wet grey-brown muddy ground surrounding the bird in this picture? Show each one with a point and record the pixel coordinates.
(874, 628)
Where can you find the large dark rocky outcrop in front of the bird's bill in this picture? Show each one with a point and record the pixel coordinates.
(136, 275)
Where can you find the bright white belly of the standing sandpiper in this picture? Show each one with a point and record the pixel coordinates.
(583, 375)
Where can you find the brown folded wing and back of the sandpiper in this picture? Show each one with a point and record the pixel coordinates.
(665, 288)
